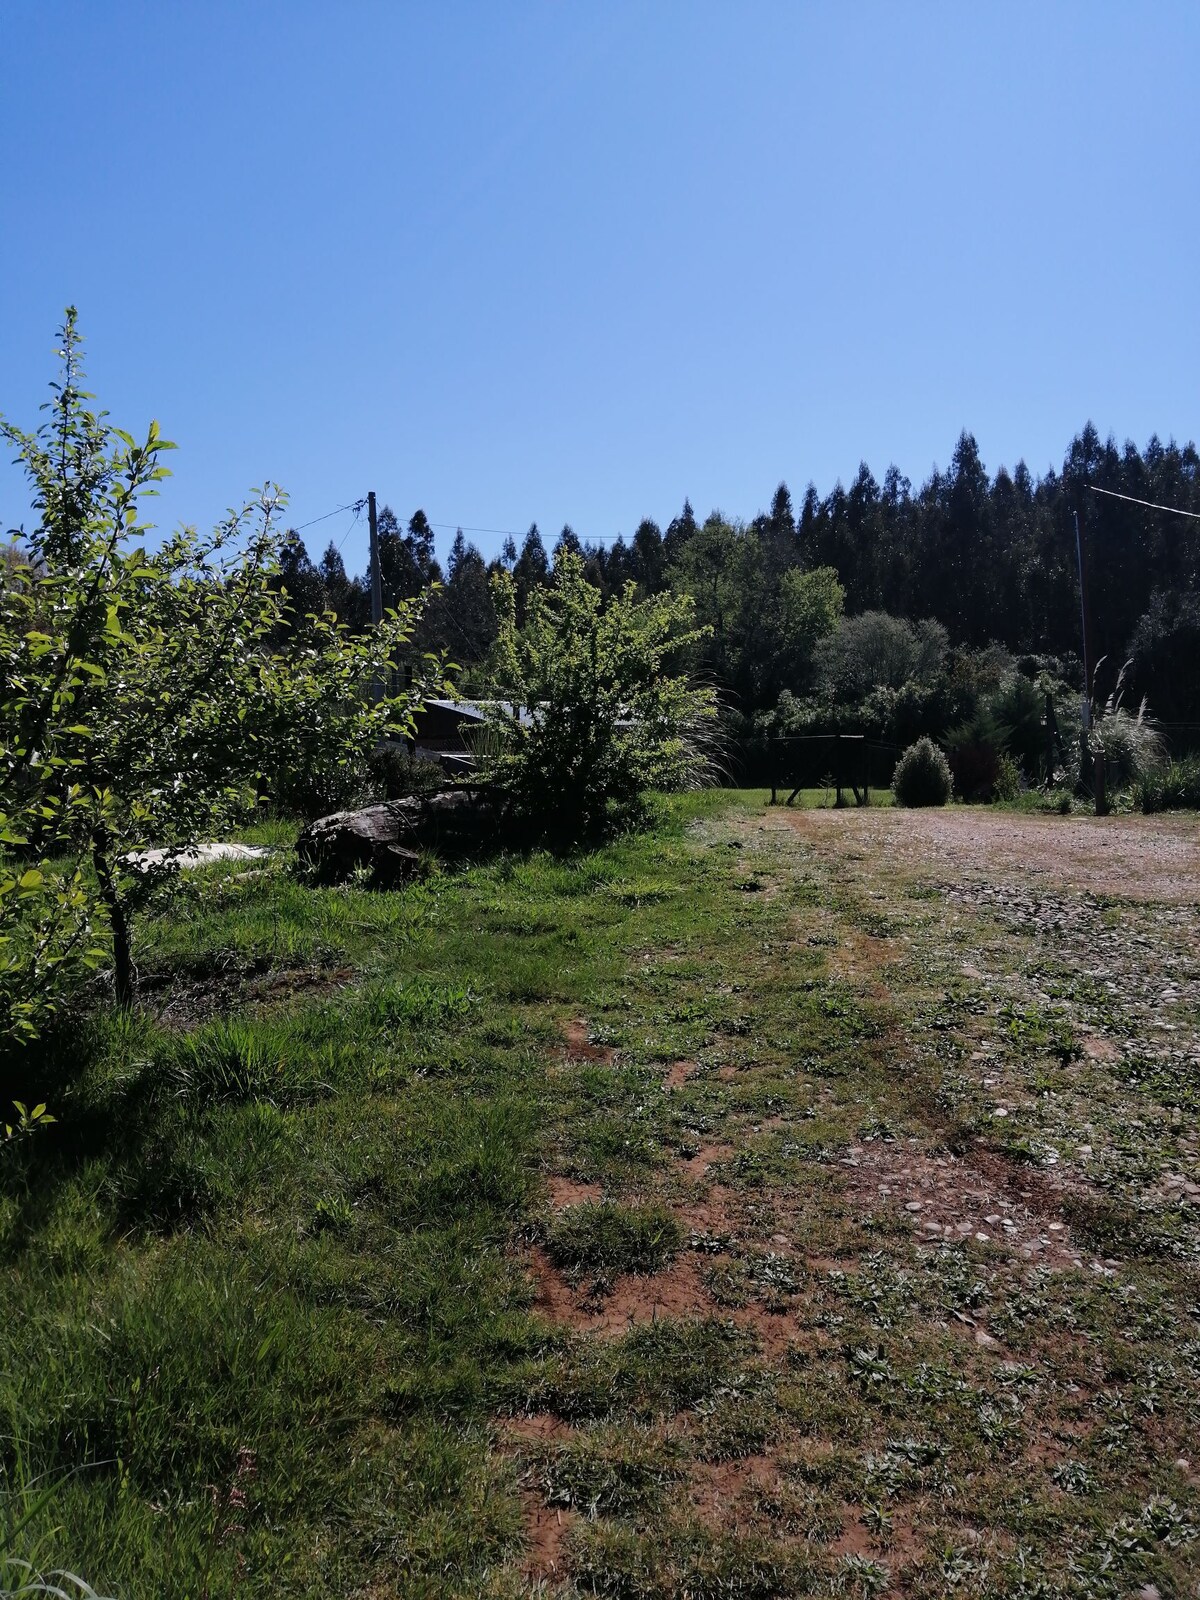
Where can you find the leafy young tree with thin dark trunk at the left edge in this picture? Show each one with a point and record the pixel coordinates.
(142, 700)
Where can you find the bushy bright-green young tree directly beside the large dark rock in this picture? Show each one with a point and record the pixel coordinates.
(594, 714)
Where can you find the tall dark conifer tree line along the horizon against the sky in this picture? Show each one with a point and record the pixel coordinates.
(991, 559)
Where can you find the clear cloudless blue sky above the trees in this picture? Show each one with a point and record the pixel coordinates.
(574, 262)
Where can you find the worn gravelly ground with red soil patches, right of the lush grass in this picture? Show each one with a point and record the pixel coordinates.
(924, 1103)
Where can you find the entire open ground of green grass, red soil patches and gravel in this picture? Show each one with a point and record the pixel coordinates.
(774, 1204)
